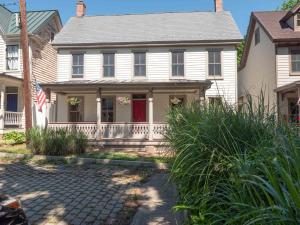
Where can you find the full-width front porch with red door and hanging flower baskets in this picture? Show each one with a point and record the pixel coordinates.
(119, 112)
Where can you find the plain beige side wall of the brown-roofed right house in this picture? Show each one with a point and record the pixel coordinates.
(259, 73)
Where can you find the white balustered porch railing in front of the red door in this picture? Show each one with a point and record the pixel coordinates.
(115, 130)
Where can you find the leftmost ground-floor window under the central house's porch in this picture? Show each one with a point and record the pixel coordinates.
(75, 109)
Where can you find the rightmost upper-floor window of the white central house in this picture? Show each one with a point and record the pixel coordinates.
(214, 63)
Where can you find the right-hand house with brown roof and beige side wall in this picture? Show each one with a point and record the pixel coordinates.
(271, 61)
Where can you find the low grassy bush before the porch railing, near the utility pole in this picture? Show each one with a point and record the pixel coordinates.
(56, 142)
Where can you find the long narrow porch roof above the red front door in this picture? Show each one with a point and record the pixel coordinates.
(86, 85)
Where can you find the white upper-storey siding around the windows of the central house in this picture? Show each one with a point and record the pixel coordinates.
(158, 67)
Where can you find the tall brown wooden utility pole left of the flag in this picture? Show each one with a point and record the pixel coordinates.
(26, 69)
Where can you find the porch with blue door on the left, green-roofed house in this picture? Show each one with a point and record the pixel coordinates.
(11, 104)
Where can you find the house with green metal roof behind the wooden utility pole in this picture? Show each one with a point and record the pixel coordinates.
(42, 27)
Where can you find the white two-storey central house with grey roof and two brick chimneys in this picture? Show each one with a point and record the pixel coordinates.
(119, 75)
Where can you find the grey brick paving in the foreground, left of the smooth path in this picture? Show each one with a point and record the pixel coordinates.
(68, 194)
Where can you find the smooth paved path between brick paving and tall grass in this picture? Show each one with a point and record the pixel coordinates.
(160, 197)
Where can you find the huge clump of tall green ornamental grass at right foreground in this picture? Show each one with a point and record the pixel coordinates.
(235, 167)
